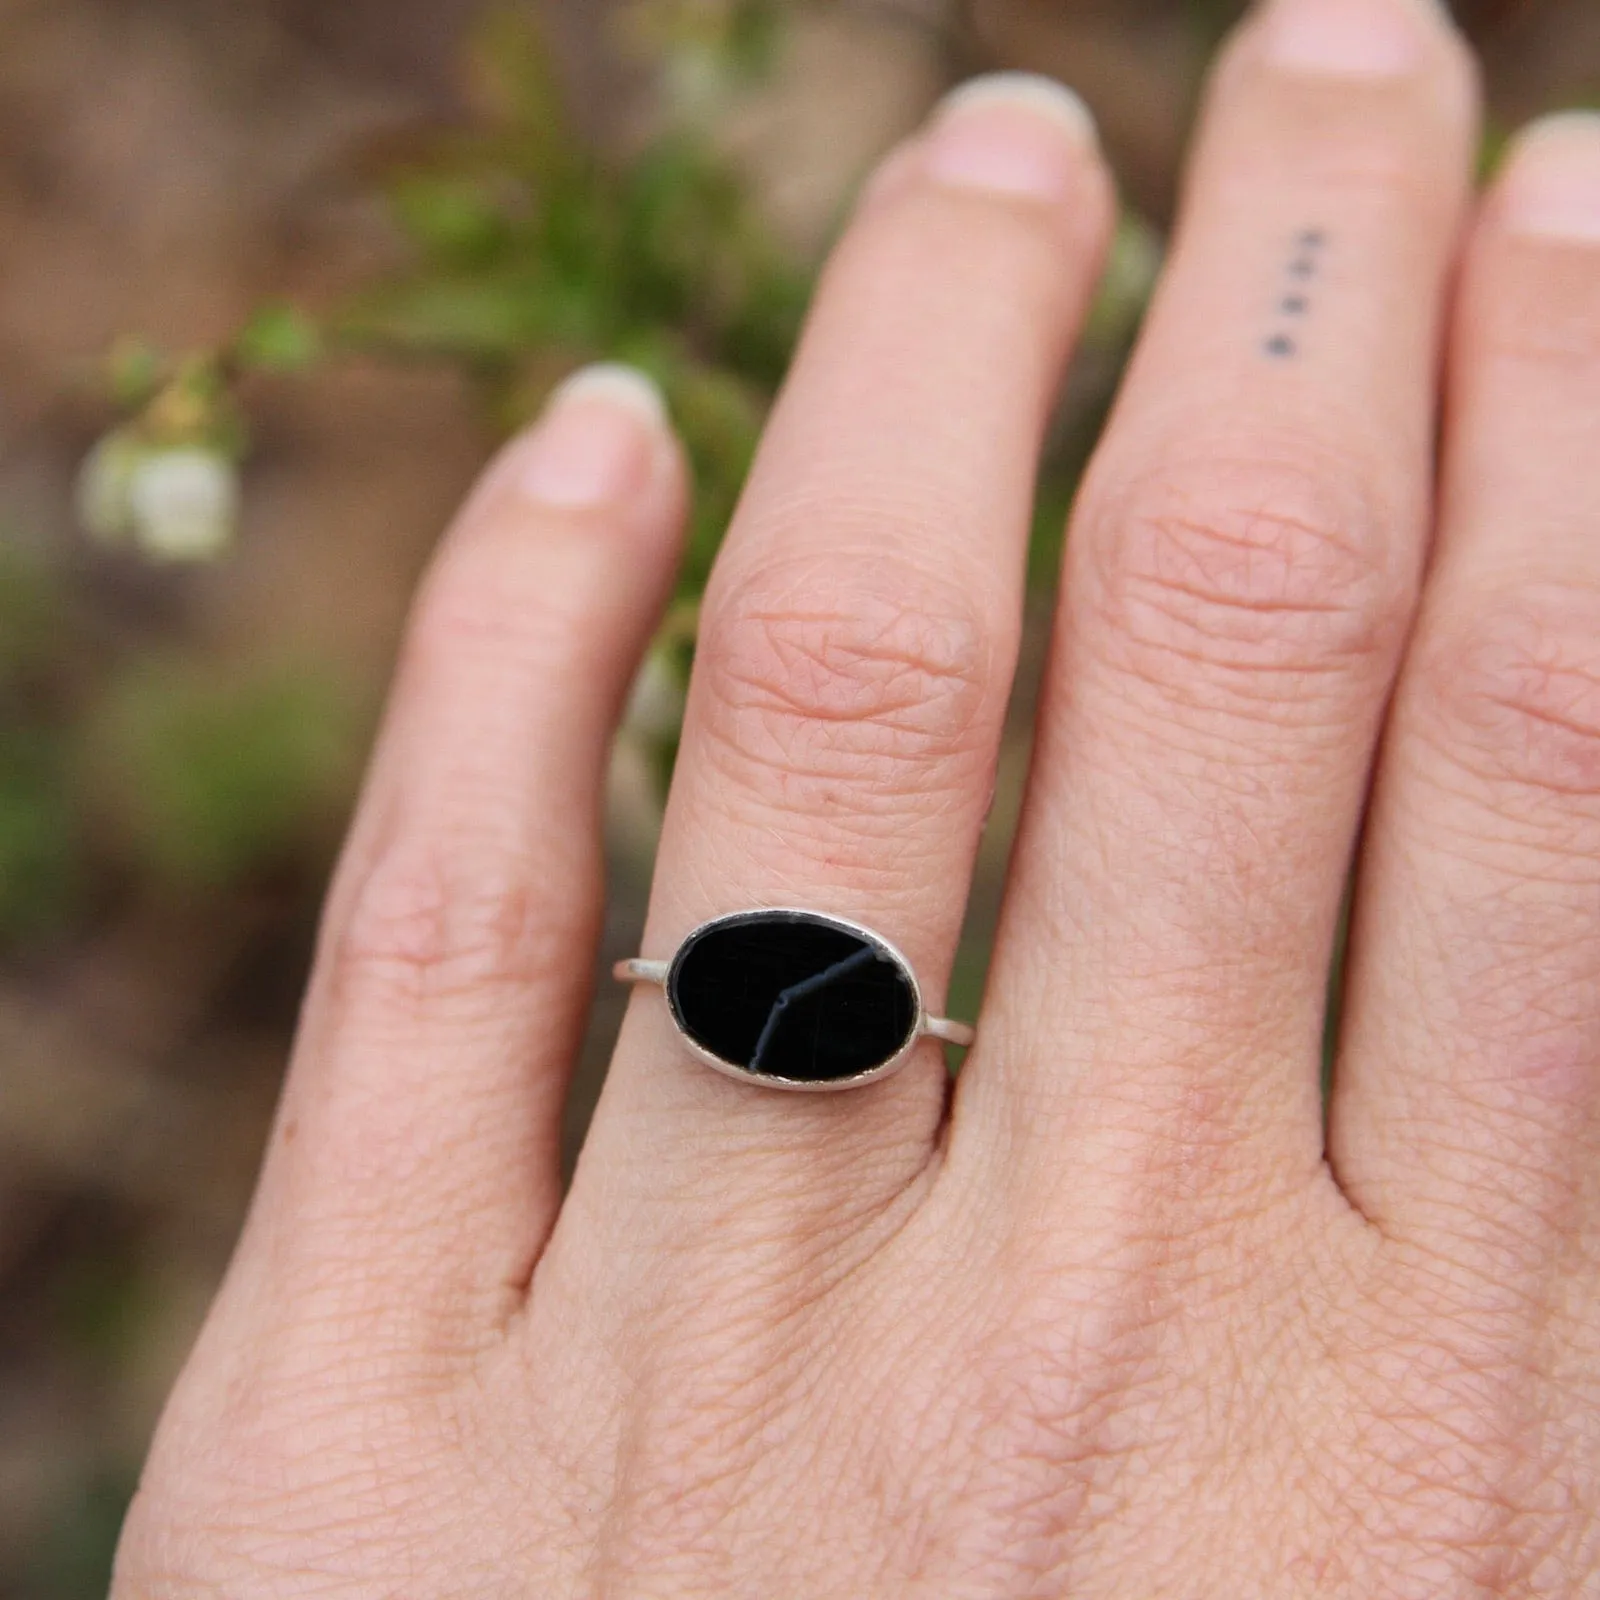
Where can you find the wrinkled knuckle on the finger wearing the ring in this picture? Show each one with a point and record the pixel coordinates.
(878, 682)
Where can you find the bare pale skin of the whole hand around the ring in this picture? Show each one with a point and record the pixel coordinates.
(1119, 1314)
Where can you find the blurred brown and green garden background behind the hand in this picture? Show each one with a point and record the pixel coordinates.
(276, 276)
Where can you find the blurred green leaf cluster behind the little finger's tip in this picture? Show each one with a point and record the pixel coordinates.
(535, 252)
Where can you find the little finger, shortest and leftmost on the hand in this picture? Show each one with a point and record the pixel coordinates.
(420, 1127)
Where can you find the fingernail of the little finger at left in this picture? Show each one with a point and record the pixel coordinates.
(598, 438)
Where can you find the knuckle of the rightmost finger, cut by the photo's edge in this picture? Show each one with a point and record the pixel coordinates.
(1511, 692)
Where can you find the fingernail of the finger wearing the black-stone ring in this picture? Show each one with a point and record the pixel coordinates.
(1010, 132)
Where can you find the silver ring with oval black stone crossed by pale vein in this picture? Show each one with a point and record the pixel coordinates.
(794, 999)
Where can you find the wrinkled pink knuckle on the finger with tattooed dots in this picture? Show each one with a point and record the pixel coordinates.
(1246, 572)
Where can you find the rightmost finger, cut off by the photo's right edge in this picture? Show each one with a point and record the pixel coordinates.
(1466, 1089)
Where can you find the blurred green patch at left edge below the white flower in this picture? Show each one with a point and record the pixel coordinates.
(154, 769)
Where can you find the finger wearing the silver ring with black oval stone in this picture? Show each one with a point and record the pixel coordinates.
(862, 630)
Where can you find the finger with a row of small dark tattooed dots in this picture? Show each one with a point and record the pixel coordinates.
(1239, 580)
